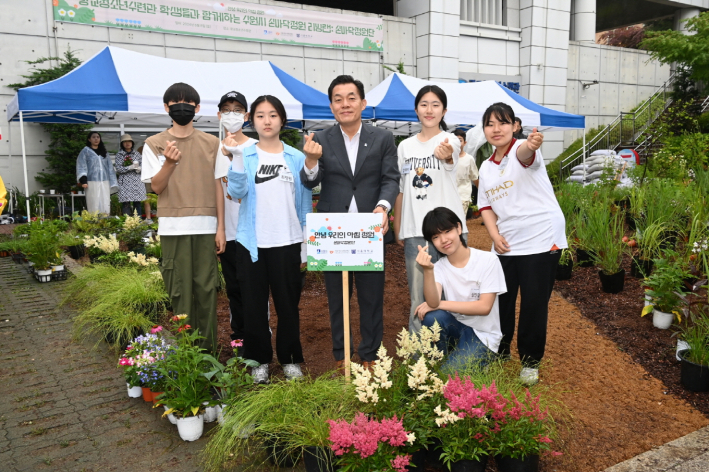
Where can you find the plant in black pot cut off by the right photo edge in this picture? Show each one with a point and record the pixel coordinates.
(695, 359)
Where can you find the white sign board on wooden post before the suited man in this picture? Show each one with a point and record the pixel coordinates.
(345, 241)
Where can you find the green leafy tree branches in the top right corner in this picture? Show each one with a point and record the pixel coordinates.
(689, 50)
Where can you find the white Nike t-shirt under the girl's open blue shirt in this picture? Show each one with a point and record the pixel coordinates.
(277, 222)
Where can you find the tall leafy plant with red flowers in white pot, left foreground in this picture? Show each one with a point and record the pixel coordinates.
(187, 375)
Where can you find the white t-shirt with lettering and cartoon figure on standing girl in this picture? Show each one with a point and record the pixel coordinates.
(426, 182)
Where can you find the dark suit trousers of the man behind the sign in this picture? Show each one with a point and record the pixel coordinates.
(370, 296)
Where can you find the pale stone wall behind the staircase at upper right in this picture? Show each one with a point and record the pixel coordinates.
(625, 78)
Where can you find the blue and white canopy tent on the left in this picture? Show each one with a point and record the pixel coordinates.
(112, 85)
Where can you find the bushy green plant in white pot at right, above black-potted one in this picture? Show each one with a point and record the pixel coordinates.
(665, 290)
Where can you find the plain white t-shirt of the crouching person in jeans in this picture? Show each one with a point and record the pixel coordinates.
(482, 274)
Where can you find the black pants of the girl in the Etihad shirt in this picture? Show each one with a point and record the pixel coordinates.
(533, 275)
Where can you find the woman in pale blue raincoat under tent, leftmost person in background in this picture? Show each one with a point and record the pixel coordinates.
(96, 174)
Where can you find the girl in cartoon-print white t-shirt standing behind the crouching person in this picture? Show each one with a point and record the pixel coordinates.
(427, 162)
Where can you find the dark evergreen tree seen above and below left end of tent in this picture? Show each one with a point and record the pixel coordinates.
(66, 140)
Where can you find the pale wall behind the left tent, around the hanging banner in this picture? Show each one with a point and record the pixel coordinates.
(27, 34)
